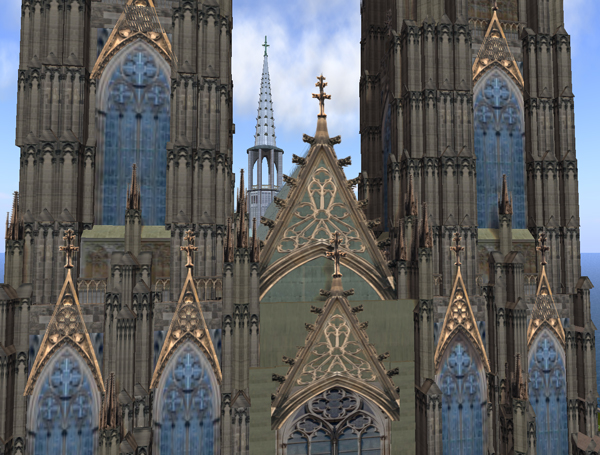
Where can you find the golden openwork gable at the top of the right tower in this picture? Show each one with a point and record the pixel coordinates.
(495, 51)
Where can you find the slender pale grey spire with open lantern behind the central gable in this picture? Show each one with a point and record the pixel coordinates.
(265, 155)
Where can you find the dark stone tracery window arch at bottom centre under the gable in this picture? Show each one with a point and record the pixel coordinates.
(337, 422)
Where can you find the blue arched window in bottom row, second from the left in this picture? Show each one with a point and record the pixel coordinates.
(187, 405)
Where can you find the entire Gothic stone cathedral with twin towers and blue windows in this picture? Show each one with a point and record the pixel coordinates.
(432, 305)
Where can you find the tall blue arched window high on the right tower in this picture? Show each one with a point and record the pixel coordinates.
(499, 147)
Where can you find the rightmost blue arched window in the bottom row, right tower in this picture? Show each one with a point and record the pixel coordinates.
(548, 394)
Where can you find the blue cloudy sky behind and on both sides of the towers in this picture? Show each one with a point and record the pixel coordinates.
(307, 38)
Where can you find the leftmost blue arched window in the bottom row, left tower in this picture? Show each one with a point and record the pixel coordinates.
(64, 407)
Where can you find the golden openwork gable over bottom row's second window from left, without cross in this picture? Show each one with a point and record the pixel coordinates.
(187, 324)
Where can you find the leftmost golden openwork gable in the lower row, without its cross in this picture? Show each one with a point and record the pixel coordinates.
(66, 327)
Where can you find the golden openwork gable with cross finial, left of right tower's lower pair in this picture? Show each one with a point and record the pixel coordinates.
(459, 316)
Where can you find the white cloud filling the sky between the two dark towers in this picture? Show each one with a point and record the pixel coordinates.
(307, 38)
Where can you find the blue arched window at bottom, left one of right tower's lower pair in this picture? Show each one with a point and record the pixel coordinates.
(464, 399)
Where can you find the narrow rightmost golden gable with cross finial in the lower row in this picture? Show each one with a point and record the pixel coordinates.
(544, 313)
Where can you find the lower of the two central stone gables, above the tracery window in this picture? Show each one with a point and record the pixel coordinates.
(337, 353)
